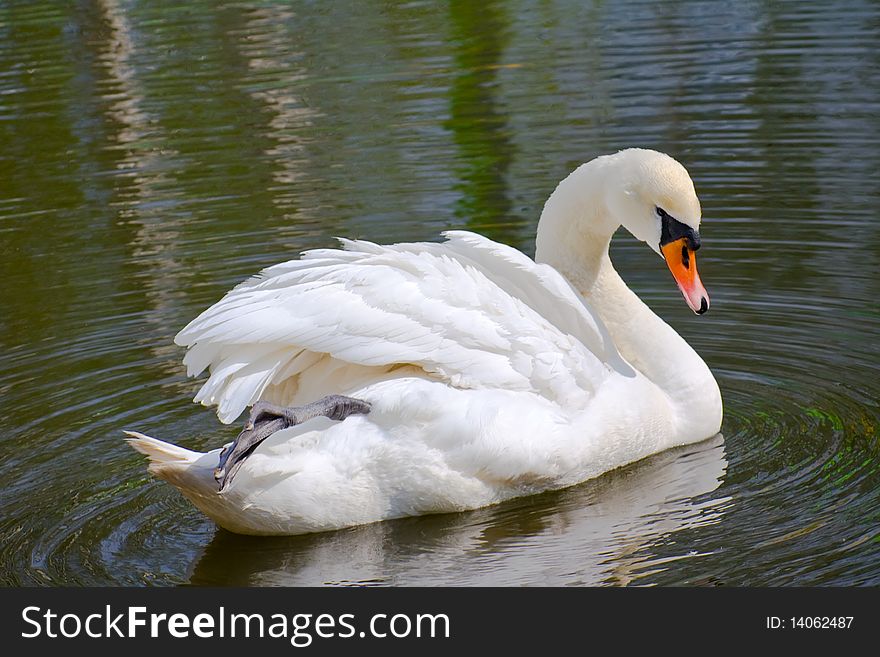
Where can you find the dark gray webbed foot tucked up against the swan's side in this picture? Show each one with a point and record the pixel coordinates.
(265, 419)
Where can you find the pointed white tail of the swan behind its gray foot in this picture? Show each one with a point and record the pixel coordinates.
(189, 471)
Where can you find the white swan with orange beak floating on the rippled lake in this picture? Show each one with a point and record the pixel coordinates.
(490, 376)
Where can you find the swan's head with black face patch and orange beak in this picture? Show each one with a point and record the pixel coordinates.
(653, 197)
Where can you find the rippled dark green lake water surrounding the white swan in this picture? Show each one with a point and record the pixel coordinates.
(152, 156)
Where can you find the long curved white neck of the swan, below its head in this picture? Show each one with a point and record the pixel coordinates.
(574, 234)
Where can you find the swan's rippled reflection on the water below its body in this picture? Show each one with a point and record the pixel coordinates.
(596, 533)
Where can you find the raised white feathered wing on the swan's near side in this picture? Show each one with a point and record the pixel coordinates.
(469, 311)
